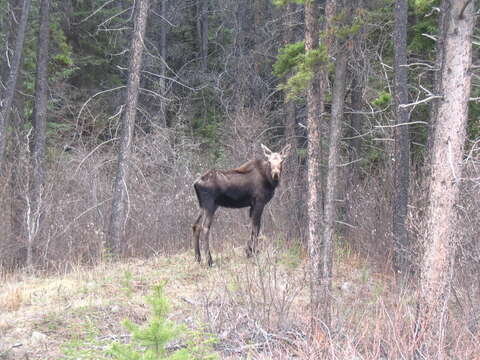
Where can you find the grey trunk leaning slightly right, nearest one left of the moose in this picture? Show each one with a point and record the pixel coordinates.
(115, 239)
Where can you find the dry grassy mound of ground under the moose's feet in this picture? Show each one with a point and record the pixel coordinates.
(253, 308)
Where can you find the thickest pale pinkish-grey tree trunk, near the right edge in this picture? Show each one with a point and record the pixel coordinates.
(446, 172)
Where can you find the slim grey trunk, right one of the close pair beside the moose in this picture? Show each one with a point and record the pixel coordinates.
(338, 97)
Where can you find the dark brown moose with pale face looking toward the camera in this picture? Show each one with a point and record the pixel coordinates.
(251, 185)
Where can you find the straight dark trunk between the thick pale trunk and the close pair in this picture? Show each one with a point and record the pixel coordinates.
(402, 140)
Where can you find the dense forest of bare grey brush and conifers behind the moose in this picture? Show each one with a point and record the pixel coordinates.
(217, 79)
